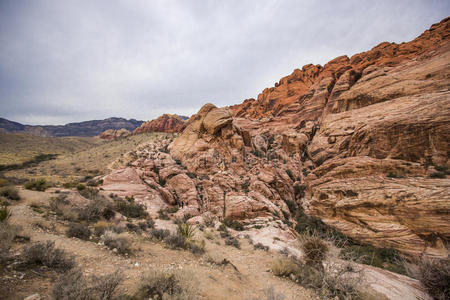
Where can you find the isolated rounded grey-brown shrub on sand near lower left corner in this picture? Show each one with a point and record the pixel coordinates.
(45, 253)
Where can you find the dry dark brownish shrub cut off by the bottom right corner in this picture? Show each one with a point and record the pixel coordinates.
(434, 274)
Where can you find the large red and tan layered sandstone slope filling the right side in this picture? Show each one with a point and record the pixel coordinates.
(361, 143)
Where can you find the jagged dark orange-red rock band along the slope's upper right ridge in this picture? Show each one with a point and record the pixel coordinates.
(308, 91)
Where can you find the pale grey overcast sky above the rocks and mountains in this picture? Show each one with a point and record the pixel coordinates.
(67, 61)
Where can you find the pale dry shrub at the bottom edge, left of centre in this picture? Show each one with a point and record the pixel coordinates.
(166, 284)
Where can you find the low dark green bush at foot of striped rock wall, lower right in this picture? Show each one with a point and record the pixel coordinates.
(385, 258)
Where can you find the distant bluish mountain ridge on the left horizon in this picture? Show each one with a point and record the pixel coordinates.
(86, 128)
